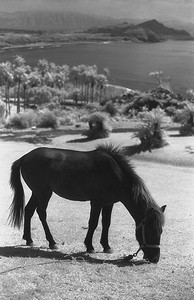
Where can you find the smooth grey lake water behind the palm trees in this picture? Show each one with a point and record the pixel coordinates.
(129, 63)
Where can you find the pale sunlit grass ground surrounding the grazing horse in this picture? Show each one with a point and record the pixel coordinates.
(70, 273)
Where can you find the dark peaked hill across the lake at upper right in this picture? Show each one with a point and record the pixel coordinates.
(149, 31)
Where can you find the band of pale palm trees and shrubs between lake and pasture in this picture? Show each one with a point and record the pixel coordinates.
(49, 89)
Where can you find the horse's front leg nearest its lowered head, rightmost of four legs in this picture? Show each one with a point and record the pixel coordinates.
(106, 219)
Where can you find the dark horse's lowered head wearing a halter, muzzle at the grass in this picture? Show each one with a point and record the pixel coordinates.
(148, 234)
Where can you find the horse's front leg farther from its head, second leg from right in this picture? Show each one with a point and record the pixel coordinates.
(93, 223)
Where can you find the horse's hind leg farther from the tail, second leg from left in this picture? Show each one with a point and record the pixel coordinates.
(41, 210)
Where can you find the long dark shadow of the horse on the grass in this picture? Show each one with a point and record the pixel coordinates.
(27, 252)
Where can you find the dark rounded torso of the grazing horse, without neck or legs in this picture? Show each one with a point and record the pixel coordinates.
(76, 175)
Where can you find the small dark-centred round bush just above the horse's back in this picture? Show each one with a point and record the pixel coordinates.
(98, 126)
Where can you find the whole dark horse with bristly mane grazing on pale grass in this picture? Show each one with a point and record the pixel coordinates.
(102, 176)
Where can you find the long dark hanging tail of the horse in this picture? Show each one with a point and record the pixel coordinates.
(17, 205)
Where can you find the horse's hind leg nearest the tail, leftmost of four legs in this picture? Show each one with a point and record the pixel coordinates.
(29, 211)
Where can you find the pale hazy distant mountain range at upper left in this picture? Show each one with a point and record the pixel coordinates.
(51, 21)
